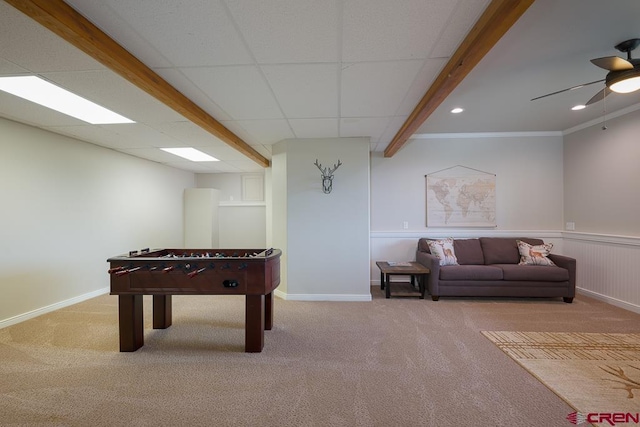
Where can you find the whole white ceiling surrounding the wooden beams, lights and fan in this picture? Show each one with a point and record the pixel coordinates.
(273, 70)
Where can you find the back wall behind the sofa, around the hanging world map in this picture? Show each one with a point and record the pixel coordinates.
(529, 190)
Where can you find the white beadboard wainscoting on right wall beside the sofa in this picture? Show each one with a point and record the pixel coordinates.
(608, 267)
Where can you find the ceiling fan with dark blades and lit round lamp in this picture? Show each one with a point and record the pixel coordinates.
(623, 75)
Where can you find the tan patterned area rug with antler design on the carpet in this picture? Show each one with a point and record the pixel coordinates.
(592, 372)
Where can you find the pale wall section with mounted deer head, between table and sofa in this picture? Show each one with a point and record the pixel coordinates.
(327, 235)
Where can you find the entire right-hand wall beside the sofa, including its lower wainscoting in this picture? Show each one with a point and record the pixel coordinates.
(602, 197)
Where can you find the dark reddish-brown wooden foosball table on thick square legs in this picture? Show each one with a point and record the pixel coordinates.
(162, 273)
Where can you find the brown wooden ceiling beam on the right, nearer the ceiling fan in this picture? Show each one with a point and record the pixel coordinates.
(495, 21)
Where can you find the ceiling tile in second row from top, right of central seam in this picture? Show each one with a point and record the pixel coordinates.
(376, 89)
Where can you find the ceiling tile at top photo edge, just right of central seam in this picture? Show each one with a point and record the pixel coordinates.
(407, 32)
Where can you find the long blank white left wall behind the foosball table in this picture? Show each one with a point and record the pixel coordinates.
(66, 207)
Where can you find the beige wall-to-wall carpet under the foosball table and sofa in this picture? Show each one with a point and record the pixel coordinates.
(389, 362)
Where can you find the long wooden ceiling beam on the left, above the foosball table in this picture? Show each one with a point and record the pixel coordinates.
(64, 21)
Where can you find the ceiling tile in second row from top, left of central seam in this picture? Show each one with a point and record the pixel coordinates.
(296, 85)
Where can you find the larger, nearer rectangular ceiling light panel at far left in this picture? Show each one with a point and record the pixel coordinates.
(35, 89)
